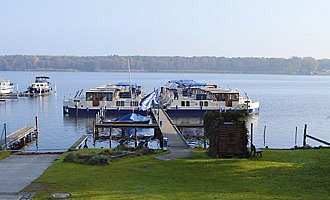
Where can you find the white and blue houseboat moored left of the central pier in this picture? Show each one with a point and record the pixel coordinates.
(114, 99)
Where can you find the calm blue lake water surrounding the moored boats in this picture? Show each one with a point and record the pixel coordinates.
(286, 101)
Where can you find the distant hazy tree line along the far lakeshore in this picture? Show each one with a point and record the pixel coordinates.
(294, 65)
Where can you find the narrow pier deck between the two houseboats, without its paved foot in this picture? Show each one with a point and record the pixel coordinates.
(169, 129)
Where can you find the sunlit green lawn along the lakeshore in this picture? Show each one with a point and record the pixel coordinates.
(279, 174)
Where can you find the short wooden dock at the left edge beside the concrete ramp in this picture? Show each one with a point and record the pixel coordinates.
(19, 138)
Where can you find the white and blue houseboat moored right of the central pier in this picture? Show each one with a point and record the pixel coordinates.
(190, 98)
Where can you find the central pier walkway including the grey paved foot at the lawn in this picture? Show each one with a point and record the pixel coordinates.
(176, 142)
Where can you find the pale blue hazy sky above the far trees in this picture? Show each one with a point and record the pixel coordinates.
(231, 28)
